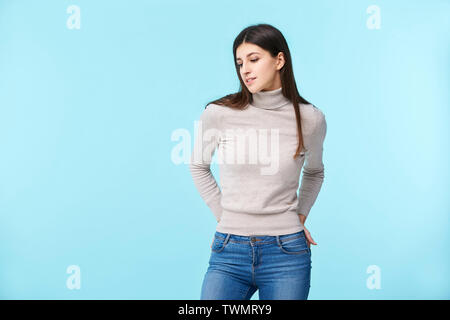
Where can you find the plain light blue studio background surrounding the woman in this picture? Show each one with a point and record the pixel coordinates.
(86, 118)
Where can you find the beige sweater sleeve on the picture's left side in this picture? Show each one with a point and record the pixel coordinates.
(205, 144)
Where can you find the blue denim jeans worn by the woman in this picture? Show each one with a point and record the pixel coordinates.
(278, 266)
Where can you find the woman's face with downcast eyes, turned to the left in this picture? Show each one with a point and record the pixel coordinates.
(255, 62)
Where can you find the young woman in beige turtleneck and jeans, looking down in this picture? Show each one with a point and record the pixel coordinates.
(265, 134)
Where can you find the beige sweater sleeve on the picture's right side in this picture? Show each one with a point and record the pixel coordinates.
(313, 169)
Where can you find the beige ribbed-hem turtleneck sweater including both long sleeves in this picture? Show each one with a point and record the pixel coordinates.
(258, 176)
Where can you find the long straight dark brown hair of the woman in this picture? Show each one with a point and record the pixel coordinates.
(272, 40)
